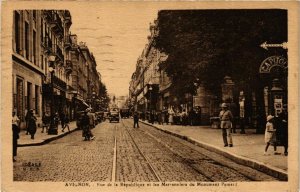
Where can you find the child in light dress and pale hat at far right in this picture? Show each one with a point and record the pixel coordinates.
(270, 134)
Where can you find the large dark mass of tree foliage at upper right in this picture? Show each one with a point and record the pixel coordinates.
(203, 46)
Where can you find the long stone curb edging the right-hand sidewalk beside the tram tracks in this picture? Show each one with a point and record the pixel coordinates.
(270, 170)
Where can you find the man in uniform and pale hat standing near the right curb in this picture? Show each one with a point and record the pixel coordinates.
(226, 125)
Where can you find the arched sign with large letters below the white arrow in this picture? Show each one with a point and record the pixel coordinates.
(271, 62)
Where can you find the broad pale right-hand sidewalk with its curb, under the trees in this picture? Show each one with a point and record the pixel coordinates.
(248, 149)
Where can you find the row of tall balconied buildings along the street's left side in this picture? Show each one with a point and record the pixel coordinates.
(50, 67)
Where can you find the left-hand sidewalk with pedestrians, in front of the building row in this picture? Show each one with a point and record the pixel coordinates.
(43, 138)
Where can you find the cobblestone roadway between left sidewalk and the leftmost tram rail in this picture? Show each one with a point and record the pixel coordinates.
(68, 159)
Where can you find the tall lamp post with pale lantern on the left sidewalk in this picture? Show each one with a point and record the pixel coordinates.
(52, 129)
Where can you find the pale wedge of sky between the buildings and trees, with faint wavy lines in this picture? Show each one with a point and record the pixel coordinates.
(116, 35)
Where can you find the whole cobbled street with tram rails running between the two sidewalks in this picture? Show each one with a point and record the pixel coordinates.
(121, 153)
